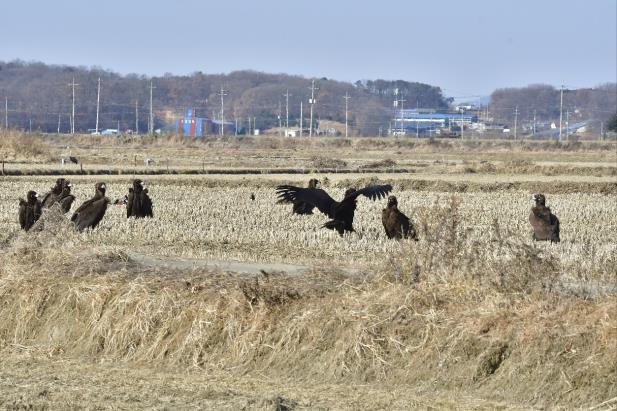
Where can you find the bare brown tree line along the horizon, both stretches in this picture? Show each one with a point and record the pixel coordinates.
(39, 97)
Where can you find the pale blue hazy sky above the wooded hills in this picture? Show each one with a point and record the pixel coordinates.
(468, 48)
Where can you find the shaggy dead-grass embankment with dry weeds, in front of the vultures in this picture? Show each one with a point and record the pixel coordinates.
(440, 320)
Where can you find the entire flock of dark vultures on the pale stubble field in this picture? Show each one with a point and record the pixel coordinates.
(341, 213)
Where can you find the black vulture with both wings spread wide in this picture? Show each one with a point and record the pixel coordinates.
(341, 213)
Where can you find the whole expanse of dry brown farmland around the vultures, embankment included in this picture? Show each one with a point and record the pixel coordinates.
(220, 302)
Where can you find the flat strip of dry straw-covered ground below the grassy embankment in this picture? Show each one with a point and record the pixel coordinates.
(38, 383)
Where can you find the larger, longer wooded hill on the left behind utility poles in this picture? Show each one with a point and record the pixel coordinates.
(41, 94)
